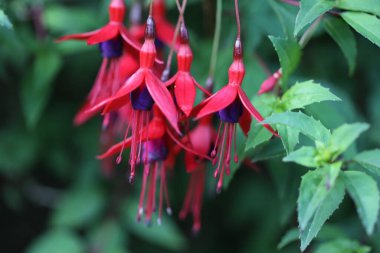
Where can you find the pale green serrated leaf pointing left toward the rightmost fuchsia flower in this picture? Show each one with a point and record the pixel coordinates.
(302, 123)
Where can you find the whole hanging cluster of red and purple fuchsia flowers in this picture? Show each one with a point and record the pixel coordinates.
(154, 114)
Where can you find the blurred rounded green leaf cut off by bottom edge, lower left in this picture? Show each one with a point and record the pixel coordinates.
(57, 241)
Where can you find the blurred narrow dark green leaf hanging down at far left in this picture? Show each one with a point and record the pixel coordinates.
(37, 85)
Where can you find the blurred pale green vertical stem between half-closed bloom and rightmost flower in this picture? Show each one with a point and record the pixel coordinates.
(215, 46)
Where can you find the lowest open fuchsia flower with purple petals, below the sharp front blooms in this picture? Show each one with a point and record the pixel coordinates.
(157, 141)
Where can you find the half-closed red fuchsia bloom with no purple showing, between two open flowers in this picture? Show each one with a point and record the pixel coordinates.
(184, 82)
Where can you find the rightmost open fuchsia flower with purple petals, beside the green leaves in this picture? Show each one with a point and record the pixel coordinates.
(233, 106)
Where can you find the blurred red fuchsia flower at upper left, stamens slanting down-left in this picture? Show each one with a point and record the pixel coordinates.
(119, 51)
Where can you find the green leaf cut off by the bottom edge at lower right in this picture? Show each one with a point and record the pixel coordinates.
(342, 245)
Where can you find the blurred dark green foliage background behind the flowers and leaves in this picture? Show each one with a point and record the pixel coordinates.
(53, 195)
